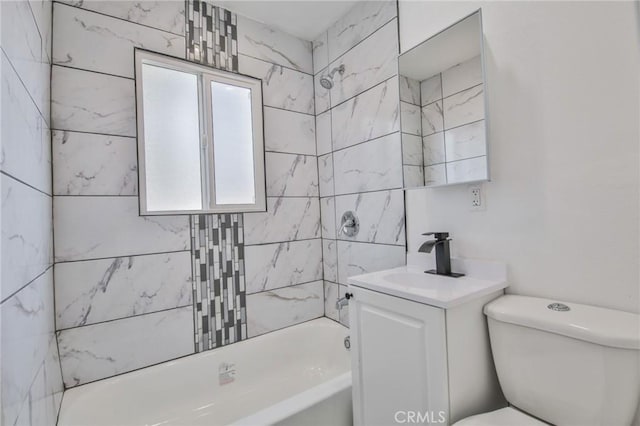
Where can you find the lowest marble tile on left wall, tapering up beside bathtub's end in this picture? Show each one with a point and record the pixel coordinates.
(45, 395)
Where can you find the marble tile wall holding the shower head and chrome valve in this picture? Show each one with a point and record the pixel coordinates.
(359, 146)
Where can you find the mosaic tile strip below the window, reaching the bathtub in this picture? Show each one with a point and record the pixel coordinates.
(218, 280)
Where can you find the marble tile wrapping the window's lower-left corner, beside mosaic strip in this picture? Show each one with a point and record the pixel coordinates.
(98, 227)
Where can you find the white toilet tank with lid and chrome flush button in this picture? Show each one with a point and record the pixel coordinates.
(579, 366)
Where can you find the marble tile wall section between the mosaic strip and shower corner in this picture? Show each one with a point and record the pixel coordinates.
(283, 249)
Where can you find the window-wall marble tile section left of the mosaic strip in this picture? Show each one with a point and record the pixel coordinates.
(123, 282)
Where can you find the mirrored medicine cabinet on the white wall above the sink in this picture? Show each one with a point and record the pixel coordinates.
(443, 116)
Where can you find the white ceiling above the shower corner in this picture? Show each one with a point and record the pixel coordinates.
(306, 19)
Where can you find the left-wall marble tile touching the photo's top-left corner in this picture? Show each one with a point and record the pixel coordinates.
(22, 44)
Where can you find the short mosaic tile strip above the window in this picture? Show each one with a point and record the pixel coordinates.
(212, 35)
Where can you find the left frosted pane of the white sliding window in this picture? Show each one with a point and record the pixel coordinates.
(171, 139)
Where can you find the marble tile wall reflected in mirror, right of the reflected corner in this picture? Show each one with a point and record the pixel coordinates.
(453, 134)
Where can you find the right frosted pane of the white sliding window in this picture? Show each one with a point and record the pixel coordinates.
(232, 144)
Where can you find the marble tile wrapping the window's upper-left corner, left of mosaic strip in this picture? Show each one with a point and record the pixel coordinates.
(81, 34)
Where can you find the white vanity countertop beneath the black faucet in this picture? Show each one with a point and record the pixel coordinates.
(411, 282)
